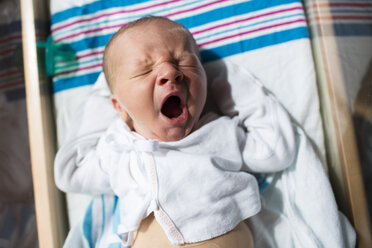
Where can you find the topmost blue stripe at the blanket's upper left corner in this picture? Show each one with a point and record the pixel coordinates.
(91, 8)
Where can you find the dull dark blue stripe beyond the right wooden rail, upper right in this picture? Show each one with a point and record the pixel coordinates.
(352, 29)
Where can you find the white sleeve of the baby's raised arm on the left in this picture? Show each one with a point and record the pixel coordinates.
(78, 166)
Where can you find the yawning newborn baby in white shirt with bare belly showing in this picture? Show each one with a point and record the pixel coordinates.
(181, 179)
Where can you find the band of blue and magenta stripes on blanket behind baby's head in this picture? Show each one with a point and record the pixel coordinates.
(221, 28)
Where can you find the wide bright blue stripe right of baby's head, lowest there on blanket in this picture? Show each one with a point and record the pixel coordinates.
(252, 44)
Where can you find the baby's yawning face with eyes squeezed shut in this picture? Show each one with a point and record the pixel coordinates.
(158, 80)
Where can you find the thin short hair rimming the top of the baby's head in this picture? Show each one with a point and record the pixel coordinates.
(136, 23)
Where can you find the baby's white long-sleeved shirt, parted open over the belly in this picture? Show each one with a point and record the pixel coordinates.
(198, 187)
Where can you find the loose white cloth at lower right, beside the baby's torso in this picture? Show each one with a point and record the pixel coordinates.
(299, 208)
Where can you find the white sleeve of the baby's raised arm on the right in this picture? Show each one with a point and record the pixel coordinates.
(268, 141)
